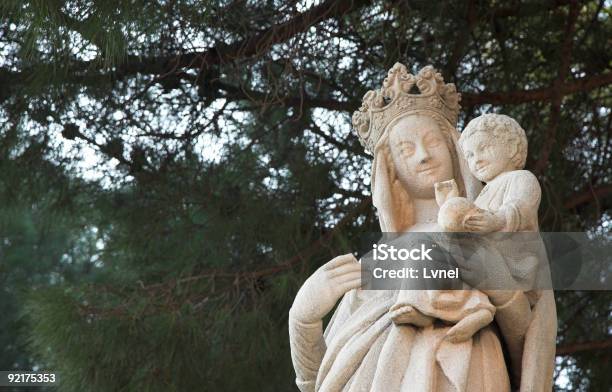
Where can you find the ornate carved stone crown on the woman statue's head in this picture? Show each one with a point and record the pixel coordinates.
(380, 107)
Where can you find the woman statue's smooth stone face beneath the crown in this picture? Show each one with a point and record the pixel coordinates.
(420, 155)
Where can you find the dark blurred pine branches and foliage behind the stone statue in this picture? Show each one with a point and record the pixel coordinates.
(172, 171)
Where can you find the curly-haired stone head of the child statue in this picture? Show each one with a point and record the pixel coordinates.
(493, 144)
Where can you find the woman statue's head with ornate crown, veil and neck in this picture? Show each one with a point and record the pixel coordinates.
(409, 126)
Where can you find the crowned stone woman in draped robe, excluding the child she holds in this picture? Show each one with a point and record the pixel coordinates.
(415, 145)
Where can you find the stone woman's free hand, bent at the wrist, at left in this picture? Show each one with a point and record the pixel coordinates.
(319, 294)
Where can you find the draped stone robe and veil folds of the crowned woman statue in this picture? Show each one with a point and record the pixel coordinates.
(363, 350)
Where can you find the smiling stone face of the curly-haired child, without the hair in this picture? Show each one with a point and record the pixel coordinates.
(486, 158)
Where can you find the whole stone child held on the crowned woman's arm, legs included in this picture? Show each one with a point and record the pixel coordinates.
(495, 148)
